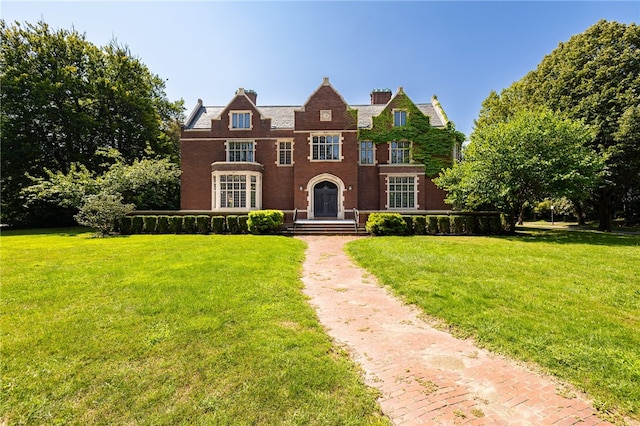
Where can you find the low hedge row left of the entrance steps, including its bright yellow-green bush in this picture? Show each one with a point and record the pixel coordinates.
(256, 222)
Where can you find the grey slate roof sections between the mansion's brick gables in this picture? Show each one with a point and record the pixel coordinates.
(282, 117)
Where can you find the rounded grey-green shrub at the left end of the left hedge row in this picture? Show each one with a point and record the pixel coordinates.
(102, 211)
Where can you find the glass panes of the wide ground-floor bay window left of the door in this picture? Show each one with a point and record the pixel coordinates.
(234, 191)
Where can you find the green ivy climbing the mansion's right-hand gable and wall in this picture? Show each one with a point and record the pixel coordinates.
(431, 146)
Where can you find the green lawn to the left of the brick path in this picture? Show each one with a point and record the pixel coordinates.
(167, 329)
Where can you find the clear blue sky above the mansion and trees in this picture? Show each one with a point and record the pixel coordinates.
(457, 50)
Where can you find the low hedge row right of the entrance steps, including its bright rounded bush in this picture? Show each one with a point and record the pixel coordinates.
(449, 224)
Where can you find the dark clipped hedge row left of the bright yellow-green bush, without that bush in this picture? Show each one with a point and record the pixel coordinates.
(188, 224)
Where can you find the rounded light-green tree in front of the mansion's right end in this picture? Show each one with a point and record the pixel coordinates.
(532, 156)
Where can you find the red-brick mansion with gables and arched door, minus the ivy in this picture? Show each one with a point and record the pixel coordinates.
(243, 157)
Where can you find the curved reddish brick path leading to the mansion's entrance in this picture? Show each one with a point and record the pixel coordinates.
(426, 376)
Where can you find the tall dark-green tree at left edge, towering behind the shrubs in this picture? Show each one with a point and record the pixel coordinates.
(63, 99)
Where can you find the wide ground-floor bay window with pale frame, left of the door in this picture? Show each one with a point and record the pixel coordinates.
(251, 186)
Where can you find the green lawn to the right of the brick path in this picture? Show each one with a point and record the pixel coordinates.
(569, 301)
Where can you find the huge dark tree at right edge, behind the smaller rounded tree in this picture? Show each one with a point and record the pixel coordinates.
(594, 77)
